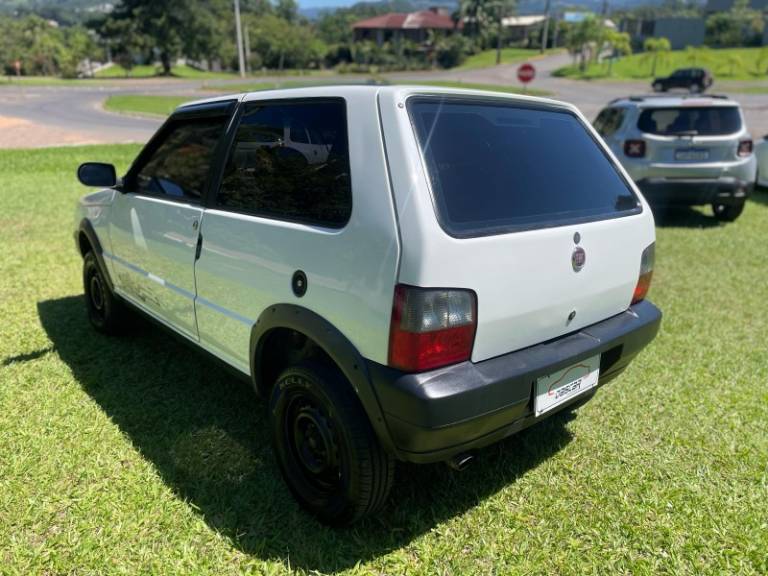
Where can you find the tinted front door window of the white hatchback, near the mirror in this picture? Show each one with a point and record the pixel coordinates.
(179, 165)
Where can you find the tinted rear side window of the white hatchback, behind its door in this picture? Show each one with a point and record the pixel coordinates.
(274, 179)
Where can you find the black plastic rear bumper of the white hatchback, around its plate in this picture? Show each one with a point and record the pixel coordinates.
(435, 415)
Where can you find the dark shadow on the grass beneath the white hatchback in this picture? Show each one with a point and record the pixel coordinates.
(207, 435)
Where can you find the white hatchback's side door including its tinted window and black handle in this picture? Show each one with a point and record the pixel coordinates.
(156, 219)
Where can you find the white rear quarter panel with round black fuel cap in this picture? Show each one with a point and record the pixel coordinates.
(247, 262)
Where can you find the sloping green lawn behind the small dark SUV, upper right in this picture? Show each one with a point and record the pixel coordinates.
(730, 64)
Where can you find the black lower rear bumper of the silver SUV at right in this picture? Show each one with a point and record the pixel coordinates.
(695, 191)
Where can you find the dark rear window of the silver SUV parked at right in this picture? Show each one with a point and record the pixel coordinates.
(698, 120)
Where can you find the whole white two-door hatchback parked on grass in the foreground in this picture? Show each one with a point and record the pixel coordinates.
(459, 266)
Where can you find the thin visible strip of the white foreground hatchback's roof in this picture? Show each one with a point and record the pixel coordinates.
(374, 90)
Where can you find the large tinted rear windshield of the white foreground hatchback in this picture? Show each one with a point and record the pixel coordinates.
(496, 167)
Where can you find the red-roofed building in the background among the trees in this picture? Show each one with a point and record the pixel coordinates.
(413, 26)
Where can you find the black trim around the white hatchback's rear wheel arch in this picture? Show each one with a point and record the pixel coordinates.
(335, 344)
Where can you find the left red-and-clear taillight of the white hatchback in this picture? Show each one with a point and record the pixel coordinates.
(431, 327)
